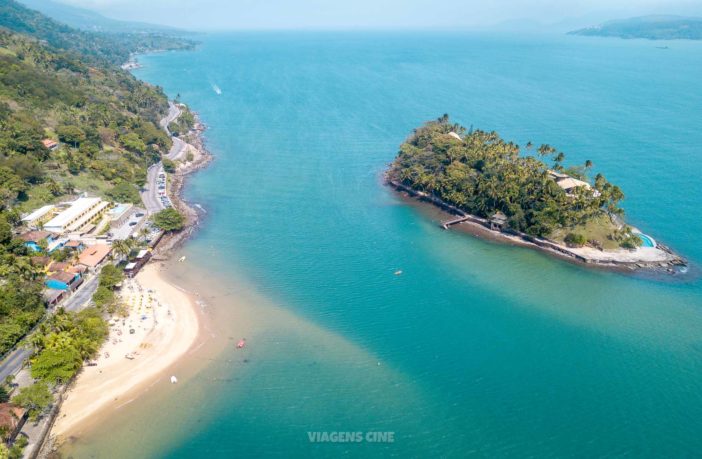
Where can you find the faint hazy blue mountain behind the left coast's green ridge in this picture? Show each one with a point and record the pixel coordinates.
(83, 19)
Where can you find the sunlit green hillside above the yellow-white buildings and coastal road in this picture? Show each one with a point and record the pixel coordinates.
(105, 120)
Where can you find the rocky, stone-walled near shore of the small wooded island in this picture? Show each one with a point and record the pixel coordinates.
(622, 260)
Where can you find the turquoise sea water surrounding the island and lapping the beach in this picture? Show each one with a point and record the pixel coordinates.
(478, 348)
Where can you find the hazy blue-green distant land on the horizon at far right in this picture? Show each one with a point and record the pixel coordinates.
(650, 27)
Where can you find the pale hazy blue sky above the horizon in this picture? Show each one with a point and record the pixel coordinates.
(294, 14)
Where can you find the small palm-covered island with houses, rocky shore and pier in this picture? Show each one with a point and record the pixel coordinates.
(487, 183)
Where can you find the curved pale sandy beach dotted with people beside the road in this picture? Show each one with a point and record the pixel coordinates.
(165, 325)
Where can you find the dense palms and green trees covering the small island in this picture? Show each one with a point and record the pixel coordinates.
(481, 174)
